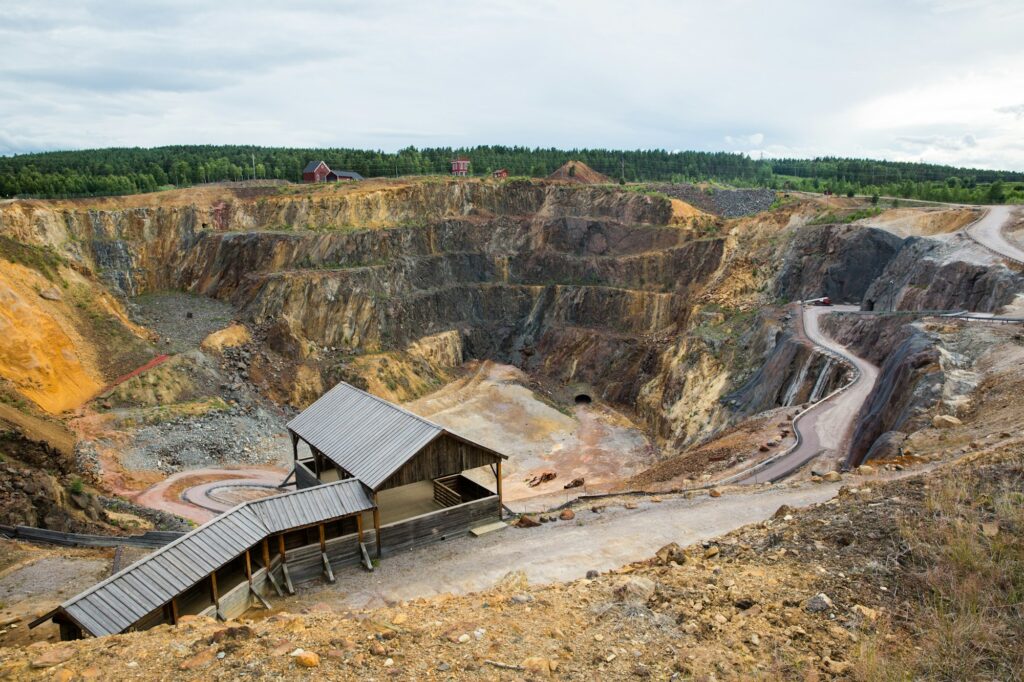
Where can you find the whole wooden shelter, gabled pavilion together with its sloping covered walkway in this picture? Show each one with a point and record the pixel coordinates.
(369, 460)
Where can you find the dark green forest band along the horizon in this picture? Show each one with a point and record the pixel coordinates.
(130, 170)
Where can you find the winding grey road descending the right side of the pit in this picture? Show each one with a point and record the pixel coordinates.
(825, 428)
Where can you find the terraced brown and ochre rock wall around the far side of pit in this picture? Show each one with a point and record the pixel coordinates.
(391, 284)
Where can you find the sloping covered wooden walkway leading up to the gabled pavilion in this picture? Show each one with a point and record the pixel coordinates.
(219, 568)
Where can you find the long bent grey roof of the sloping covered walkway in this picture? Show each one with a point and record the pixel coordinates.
(118, 603)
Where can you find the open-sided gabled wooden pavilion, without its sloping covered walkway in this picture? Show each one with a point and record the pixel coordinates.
(415, 470)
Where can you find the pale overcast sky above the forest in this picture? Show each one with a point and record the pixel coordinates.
(935, 80)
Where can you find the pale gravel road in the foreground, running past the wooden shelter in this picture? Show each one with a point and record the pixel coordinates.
(553, 552)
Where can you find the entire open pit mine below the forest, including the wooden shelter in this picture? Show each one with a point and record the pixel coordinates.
(439, 429)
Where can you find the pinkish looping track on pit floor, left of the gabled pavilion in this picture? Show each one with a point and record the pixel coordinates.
(199, 495)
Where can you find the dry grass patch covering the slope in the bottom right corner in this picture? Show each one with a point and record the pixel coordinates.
(964, 562)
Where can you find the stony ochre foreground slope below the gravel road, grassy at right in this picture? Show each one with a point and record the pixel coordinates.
(847, 589)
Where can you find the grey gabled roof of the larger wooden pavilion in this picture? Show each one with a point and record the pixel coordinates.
(366, 436)
